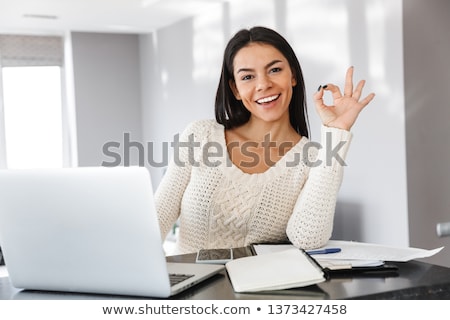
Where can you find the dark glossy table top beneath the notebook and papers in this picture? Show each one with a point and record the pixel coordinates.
(413, 280)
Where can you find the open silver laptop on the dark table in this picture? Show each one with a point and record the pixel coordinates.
(90, 230)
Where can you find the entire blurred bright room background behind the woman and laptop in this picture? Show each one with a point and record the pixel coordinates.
(111, 82)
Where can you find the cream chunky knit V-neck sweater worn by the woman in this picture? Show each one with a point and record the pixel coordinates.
(220, 206)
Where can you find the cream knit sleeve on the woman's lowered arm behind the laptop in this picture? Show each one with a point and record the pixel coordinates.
(169, 194)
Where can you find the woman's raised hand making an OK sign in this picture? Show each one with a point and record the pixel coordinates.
(346, 107)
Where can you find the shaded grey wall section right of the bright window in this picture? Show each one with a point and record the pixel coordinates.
(107, 94)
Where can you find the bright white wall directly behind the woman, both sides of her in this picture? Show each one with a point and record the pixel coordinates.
(181, 67)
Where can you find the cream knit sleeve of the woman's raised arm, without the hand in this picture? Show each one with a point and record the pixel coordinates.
(311, 223)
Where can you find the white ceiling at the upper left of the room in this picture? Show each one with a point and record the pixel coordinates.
(127, 16)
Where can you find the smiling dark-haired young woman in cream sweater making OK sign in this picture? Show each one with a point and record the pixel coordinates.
(252, 175)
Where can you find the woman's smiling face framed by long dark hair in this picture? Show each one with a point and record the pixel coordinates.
(263, 81)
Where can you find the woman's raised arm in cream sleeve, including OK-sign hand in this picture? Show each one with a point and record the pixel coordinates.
(311, 223)
